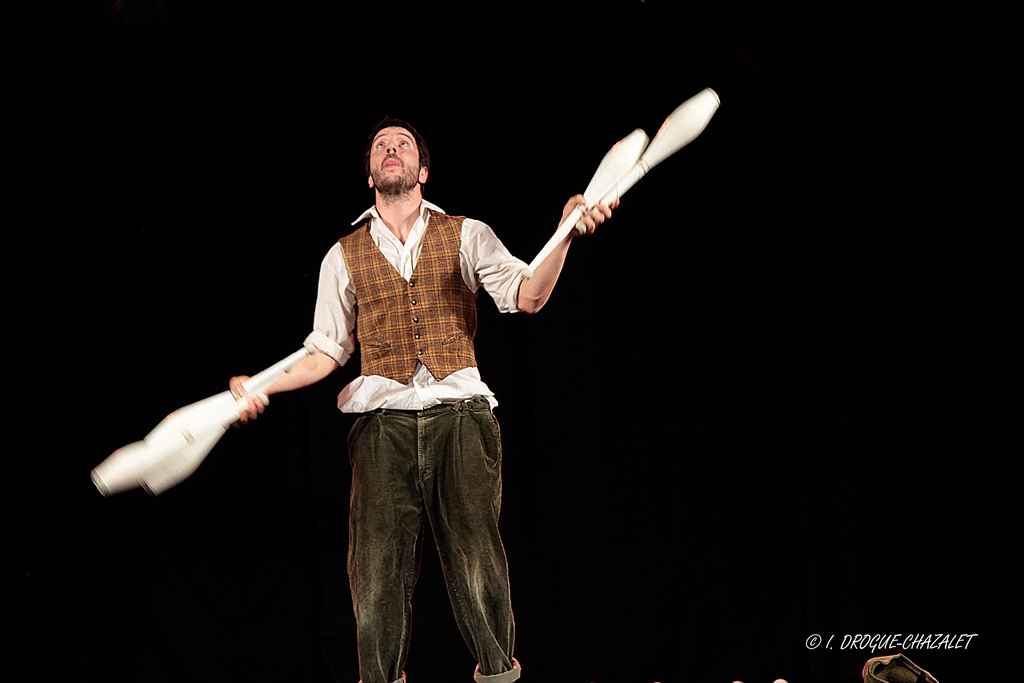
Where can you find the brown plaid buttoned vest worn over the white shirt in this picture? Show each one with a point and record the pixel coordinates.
(431, 320)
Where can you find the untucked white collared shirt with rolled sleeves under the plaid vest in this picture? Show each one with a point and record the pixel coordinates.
(486, 263)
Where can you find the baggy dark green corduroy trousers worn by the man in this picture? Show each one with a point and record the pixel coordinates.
(440, 466)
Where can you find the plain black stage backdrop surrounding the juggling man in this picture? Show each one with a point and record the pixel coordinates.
(755, 410)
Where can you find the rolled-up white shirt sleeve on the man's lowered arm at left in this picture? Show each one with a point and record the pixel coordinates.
(334, 317)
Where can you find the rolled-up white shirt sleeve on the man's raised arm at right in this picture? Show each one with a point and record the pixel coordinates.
(488, 264)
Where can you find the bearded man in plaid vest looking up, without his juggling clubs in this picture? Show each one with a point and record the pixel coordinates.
(425, 448)
